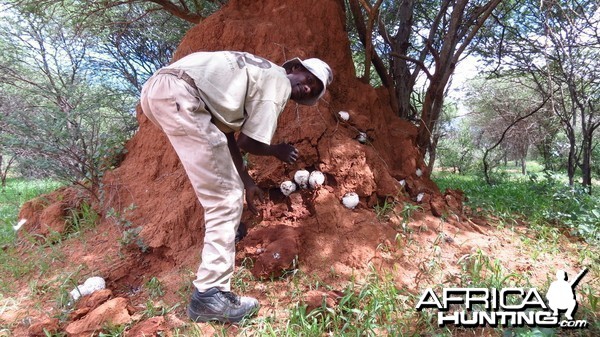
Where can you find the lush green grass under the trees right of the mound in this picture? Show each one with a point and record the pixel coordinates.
(540, 198)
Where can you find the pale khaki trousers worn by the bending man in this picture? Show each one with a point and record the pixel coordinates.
(174, 105)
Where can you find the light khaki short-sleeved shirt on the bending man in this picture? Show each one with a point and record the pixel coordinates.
(243, 92)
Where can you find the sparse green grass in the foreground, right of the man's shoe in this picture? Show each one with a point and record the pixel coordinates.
(376, 307)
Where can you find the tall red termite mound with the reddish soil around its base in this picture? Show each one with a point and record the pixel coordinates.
(152, 224)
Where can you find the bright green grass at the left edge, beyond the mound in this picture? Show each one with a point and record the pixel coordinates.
(16, 192)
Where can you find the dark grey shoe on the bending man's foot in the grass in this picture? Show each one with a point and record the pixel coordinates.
(222, 306)
